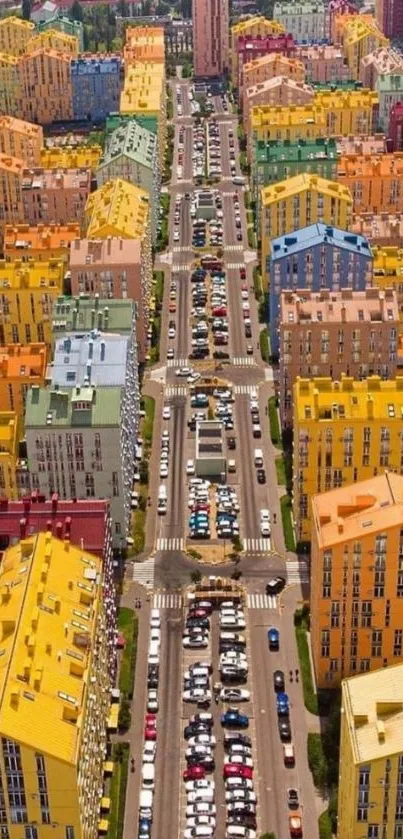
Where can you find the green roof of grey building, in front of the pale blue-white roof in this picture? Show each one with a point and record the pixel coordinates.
(77, 406)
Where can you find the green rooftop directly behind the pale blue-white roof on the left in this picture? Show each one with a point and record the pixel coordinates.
(88, 313)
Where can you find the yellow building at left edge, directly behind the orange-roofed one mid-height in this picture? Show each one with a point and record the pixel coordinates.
(27, 293)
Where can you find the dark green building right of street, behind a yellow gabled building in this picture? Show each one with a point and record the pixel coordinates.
(276, 161)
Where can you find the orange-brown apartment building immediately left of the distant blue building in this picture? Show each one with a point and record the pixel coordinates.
(45, 86)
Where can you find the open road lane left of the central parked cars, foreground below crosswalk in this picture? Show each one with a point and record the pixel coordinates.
(165, 821)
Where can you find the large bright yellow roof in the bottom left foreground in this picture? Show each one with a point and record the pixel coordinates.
(47, 635)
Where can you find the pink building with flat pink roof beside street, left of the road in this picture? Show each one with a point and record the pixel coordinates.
(113, 267)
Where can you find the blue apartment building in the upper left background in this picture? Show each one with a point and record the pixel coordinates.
(96, 87)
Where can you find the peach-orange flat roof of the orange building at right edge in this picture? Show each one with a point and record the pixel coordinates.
(358, 509)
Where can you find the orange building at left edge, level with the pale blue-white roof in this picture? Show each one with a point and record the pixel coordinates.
(20, 367)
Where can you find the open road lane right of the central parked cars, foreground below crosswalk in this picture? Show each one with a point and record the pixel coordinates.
(274, 778)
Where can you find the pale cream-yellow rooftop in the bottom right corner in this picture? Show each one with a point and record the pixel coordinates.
(373, 705)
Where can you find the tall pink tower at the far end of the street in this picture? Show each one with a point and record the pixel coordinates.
(210, 37)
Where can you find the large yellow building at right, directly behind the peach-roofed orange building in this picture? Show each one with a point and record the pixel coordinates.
(344, 432)
